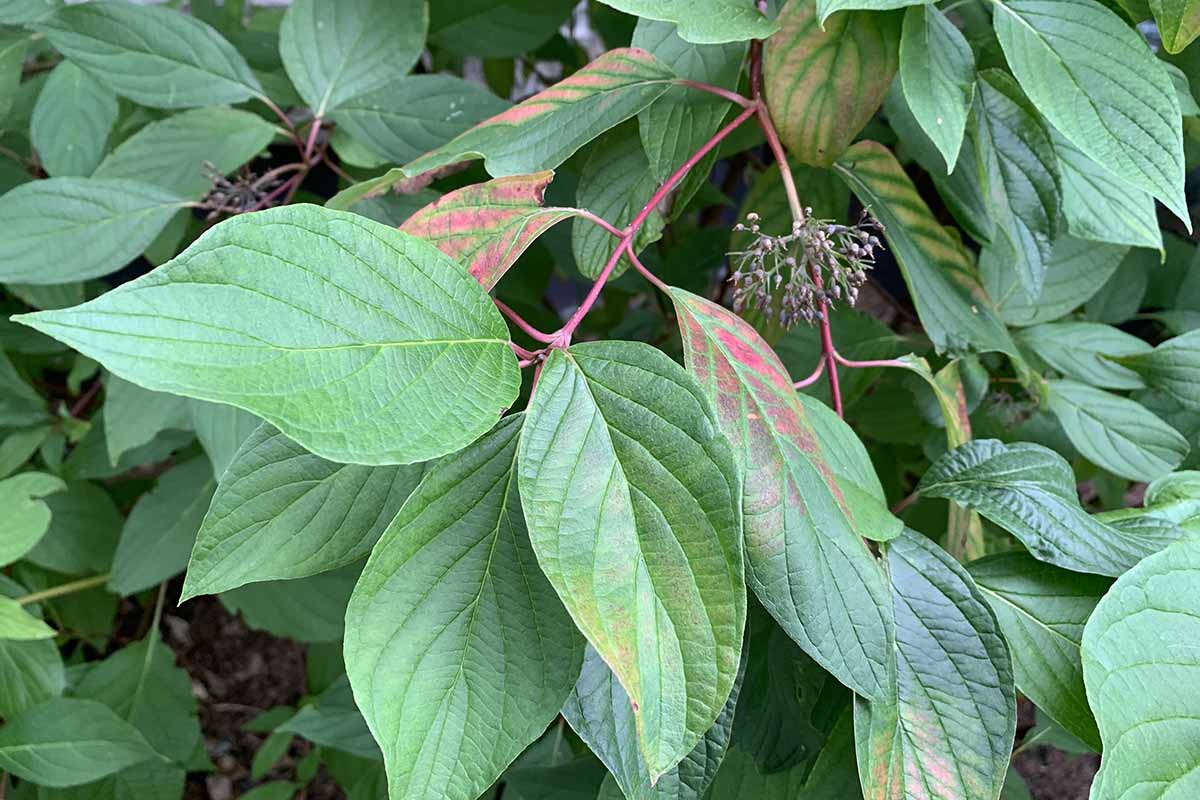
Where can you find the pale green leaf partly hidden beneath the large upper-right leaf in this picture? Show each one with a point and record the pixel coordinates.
(1101, 207)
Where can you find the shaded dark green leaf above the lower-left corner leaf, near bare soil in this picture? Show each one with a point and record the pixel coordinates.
(142, 684)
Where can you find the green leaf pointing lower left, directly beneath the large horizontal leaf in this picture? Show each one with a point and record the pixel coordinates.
(281, 513)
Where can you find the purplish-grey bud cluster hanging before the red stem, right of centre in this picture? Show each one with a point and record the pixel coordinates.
(819, 263)
